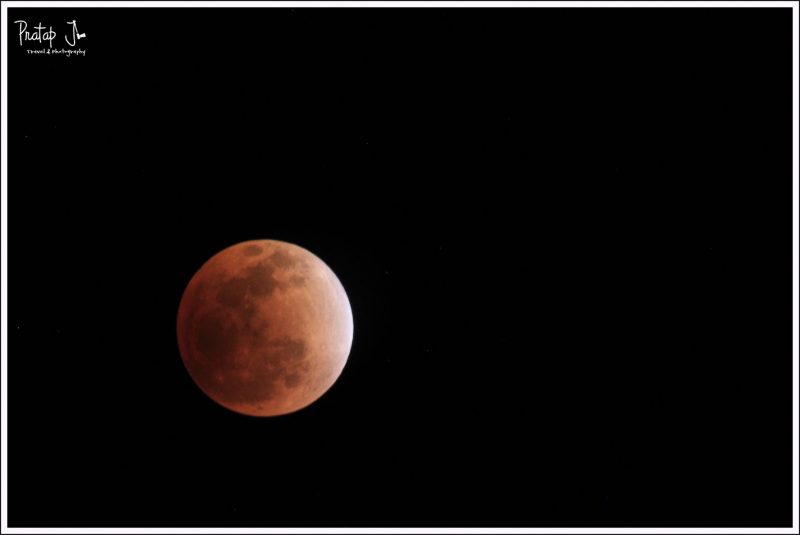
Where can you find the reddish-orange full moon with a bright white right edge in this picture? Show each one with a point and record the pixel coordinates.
(264, 328)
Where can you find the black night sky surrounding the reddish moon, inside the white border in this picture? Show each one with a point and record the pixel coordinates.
(565, 235)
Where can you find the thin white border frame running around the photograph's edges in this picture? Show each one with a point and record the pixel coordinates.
(378, 4)
